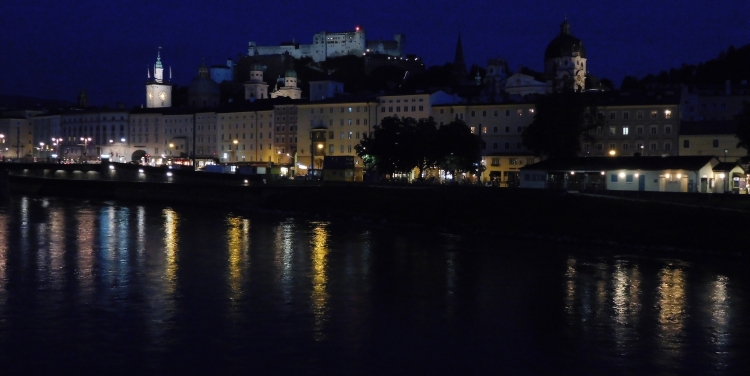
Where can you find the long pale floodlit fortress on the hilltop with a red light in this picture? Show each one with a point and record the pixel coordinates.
(326, 44)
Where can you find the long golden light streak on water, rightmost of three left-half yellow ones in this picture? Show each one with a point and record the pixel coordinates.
(319, 296)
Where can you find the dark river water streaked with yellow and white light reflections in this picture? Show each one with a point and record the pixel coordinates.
(109, 287)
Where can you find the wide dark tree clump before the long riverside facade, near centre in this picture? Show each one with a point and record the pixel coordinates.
(399, 145)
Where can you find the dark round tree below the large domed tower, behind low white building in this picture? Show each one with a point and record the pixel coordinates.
(561, 121)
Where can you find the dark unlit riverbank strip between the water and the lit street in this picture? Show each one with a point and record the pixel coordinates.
(491, 213)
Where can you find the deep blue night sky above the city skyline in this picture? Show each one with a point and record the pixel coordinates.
(53, 49)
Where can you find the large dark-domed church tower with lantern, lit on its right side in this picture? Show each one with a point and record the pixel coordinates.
(565, 61)
